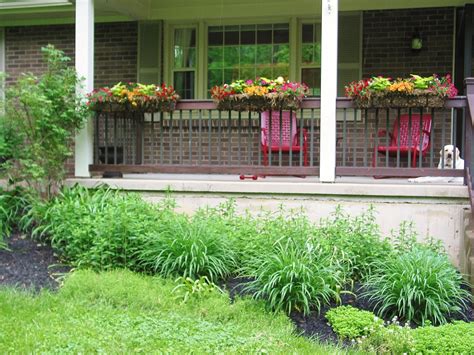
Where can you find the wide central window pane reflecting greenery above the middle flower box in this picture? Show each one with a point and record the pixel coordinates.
(246, 52)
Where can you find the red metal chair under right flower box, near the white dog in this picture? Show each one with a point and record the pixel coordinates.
(400, 138)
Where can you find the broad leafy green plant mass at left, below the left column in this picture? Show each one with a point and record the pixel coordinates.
(100, 229)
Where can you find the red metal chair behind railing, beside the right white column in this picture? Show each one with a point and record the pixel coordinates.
(290, 141)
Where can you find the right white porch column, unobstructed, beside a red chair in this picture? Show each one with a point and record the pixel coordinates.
(328, 90)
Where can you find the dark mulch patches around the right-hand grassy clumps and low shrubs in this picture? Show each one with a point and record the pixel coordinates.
(316, 325)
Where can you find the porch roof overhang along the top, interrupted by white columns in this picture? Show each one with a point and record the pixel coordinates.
(28, 12)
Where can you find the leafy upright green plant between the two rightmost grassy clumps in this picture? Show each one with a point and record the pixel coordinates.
(355, 240)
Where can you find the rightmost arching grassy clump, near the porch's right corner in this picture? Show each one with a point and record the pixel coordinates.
(417, 286)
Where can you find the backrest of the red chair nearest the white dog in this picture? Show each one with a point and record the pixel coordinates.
(413, 139)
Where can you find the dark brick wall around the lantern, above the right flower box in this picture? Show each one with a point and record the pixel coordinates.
(387, 38)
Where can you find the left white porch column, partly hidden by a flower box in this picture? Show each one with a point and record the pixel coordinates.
(85, 68)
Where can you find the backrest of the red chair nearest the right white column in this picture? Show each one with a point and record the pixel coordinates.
(286, 136)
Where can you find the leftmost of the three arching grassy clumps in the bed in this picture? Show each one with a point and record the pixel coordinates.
(188, 247)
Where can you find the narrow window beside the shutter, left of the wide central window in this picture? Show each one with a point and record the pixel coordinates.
(184, 62)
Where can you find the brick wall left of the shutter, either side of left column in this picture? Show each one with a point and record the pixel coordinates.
(115, 49)
